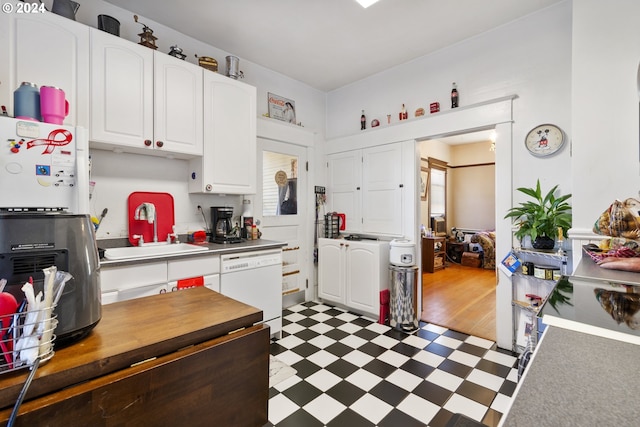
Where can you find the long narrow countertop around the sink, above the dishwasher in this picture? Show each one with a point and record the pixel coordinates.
(213, 249)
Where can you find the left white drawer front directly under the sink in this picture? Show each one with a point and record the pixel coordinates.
(119, 278)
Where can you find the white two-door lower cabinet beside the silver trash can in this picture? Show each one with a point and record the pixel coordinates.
(352, 273)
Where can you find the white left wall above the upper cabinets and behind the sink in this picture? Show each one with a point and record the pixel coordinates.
(118, 175)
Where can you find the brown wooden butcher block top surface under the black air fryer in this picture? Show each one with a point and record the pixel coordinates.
(118, 341)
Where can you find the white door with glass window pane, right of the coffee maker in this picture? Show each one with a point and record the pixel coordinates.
(281, 206)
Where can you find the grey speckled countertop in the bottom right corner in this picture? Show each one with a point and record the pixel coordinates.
(578, 379)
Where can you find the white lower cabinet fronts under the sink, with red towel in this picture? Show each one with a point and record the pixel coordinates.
(125, 282)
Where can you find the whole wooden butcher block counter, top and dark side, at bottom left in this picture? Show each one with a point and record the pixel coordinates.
(191, 357)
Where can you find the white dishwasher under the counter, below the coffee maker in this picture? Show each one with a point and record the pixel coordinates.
(255, 278)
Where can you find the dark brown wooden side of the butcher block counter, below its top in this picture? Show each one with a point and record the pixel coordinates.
(220, 382)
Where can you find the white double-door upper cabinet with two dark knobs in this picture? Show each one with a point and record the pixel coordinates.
(143, 101)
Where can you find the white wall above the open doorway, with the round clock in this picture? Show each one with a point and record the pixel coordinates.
(530, 58)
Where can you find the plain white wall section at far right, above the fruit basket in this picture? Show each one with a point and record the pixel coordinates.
(606, 52)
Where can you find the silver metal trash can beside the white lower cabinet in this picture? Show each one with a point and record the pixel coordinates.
(403, 306)
